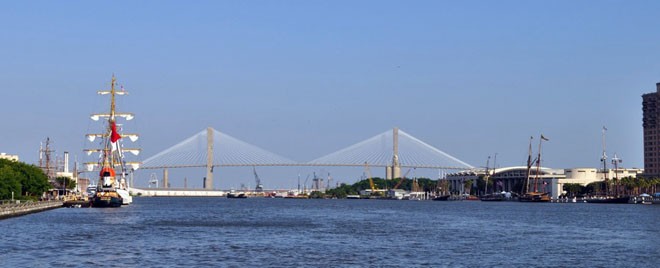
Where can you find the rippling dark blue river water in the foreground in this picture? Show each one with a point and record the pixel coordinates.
(218, 232)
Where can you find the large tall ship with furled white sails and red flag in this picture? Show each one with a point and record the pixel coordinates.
(113, 188)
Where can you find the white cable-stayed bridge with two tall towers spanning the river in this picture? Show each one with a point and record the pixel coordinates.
(394, 149)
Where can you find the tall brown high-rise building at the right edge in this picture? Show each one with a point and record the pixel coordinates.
(651, 112)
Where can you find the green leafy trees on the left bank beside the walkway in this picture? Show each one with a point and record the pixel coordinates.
(25, 181)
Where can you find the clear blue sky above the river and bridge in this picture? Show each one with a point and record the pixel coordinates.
(307, 78)
